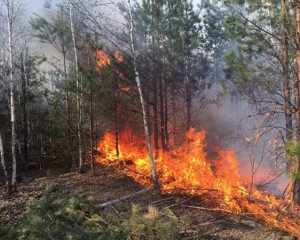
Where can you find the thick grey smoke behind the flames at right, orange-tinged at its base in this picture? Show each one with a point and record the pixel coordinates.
(233, 124)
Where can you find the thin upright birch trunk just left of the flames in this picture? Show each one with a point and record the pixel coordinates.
(79, 90)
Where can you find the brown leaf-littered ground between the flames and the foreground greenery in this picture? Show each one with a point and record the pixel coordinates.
(108, 184)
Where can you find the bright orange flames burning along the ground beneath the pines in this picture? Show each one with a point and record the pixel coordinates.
(194, 169)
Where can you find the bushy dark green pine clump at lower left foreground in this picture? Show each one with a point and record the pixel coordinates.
(71, 218)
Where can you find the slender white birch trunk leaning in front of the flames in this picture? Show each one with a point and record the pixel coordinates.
(138, 82)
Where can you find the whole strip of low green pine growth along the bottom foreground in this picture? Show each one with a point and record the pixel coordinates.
(76, 218)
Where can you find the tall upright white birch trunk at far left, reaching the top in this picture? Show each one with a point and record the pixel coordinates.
(11, 96)
